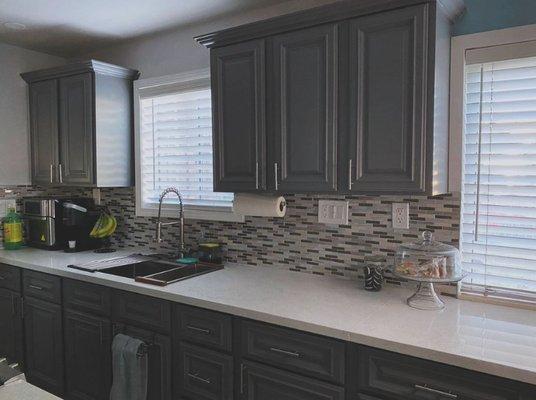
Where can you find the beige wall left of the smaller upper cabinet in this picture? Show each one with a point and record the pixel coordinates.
(14, 130)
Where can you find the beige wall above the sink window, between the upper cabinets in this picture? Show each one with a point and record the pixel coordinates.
(176, 51)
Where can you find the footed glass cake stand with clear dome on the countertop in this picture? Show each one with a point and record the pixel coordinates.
(428, 262)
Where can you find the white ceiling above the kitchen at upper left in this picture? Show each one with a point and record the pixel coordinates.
(75, 27)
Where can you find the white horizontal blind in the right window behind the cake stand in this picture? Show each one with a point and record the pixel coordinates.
(498, 222)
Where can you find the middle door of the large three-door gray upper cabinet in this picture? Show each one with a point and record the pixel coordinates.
(302, 97)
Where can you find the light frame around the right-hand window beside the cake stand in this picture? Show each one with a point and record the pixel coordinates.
(459, 47)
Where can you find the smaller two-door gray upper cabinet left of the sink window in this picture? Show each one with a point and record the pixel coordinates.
(81, 125)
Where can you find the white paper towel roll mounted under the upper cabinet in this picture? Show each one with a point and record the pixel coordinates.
(260, 206)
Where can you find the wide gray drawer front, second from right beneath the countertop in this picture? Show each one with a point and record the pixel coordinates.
(301, 352)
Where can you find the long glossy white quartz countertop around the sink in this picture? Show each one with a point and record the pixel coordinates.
(488, 338)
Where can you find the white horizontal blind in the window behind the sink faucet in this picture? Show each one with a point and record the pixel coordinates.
(176, 148)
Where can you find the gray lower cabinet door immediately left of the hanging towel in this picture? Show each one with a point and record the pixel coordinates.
(88, 363)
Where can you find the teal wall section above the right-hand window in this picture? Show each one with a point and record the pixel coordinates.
(488, 15)
